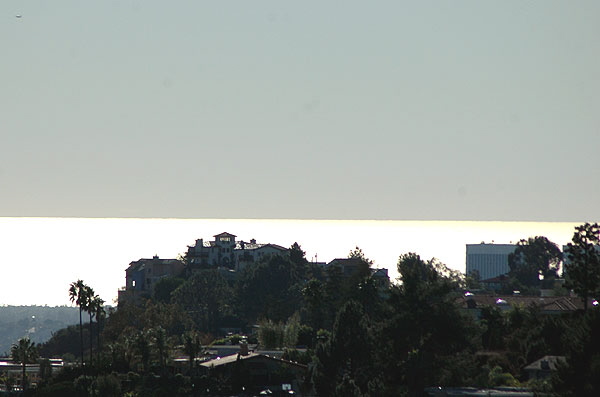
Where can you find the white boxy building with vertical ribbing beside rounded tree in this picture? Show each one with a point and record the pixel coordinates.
(489, 260)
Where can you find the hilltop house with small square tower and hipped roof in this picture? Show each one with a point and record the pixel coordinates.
(225, 251)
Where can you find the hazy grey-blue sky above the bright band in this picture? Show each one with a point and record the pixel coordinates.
(466, 110)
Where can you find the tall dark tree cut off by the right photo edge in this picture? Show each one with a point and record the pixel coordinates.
(582, 264)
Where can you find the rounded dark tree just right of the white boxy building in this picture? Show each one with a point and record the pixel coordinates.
(534, 258)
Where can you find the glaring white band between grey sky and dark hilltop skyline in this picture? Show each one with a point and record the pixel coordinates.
(41, 256)
